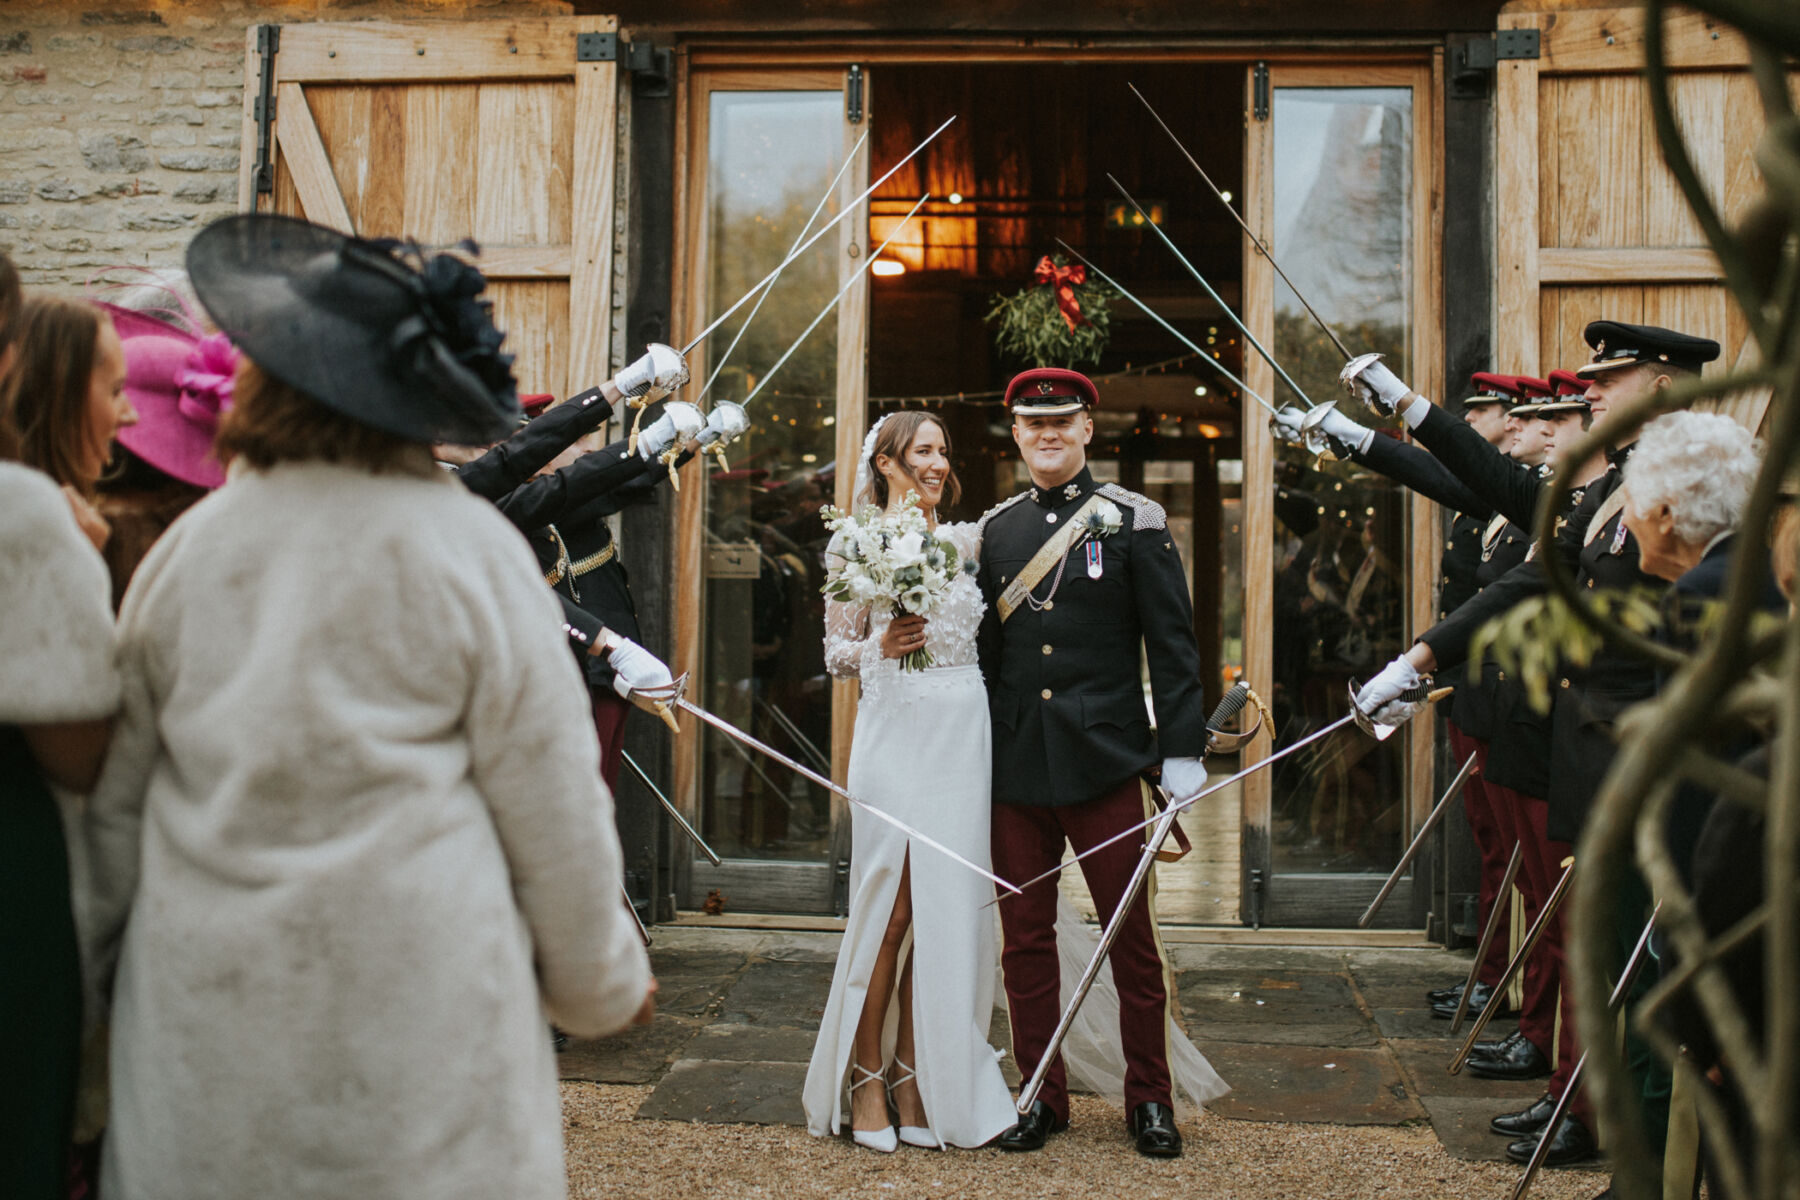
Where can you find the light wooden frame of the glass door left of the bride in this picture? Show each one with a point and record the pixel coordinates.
(692, 312)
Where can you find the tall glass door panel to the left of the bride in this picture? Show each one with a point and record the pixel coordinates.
(773, 147)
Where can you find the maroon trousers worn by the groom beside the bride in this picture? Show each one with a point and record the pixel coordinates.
(1027, 843)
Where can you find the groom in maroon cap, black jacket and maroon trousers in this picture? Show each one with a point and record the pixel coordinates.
(1079, 578)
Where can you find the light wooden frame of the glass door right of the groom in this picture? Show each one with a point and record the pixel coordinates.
(1426, 82)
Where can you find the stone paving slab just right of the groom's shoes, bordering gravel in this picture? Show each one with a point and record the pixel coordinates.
(1309, 1084)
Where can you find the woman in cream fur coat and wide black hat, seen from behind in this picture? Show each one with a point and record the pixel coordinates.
(352, 846)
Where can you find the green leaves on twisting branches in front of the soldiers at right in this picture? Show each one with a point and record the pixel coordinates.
(1534, 640)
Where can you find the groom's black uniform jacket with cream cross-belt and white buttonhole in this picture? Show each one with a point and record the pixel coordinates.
(1065, 690)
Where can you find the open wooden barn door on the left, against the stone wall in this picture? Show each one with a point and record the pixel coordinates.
(498, 130)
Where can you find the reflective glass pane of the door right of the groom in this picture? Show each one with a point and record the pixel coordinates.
(1344, 233)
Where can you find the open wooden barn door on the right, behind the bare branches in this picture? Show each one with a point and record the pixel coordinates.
(1590, 224)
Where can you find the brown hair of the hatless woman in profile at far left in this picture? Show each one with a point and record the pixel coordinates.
(46, 399)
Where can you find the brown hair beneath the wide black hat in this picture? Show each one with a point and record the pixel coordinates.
(273, 422)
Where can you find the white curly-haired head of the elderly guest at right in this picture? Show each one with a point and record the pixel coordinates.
(1686, 490)
